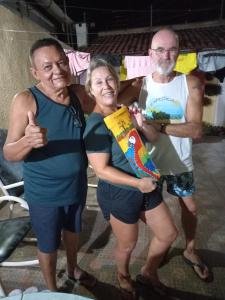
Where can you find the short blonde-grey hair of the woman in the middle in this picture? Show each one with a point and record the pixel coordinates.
(95, 63)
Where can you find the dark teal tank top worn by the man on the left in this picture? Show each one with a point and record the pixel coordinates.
(55, 175)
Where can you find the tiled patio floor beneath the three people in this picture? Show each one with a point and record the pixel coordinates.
(97, 242)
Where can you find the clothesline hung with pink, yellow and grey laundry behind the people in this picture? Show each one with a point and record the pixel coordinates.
(134, 66)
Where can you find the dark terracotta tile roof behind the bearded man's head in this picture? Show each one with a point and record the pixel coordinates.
(197, 39)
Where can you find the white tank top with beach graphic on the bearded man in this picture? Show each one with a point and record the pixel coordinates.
(166, 103)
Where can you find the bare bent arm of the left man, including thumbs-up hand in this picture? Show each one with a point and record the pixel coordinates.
(23, 132)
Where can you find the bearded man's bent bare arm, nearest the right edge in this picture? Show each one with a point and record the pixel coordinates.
(193, 126)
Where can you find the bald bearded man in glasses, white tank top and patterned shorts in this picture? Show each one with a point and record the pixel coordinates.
(173, 103)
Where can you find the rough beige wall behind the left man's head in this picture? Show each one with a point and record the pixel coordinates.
(17, 34)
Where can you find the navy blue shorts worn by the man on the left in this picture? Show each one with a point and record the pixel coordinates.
(48, 222)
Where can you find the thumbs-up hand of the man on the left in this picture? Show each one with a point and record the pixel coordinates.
(36, 136)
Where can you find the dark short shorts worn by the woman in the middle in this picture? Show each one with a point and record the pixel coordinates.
(124, 204)
